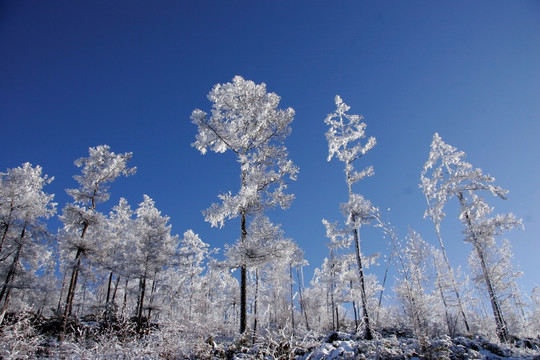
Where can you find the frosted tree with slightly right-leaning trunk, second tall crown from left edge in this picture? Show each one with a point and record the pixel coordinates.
(83, 224)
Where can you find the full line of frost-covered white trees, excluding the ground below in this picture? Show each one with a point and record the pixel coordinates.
(127, 268)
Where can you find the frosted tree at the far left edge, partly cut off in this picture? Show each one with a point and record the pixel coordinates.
(23, 247)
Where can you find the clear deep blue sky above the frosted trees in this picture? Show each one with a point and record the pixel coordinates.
(76, 74)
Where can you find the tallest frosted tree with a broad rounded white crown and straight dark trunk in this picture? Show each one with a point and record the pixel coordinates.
(246, 120)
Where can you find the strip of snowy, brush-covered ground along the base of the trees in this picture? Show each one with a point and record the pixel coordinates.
(23, 341)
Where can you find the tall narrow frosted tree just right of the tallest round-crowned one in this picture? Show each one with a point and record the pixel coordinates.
(344, 141)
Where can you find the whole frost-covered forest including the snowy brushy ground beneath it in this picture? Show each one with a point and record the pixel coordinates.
(115, 281)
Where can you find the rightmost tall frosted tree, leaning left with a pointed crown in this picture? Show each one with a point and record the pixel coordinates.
(447, 175)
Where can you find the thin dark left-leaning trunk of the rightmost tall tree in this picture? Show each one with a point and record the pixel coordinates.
(502, 331)
